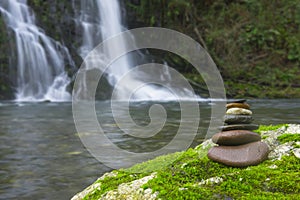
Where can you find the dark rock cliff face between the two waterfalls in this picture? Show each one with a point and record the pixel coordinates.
(56, 18)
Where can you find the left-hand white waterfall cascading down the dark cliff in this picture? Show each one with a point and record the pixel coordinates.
(40, 60)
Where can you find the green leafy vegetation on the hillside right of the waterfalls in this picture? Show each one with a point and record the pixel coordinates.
(254, 43)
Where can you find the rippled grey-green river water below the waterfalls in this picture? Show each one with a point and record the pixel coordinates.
(42, 157)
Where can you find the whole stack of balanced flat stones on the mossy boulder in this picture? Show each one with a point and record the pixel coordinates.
(238, 145)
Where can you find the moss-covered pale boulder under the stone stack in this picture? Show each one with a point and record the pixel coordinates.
(194, 176)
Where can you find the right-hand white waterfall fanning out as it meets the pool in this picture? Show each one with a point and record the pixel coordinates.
(101, 19)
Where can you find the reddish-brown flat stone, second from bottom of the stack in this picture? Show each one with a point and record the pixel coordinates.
(235, 137)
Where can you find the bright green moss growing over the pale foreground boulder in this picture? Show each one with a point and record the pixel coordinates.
(187, 175)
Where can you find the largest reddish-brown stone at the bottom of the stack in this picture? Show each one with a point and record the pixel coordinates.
(241, 155)
